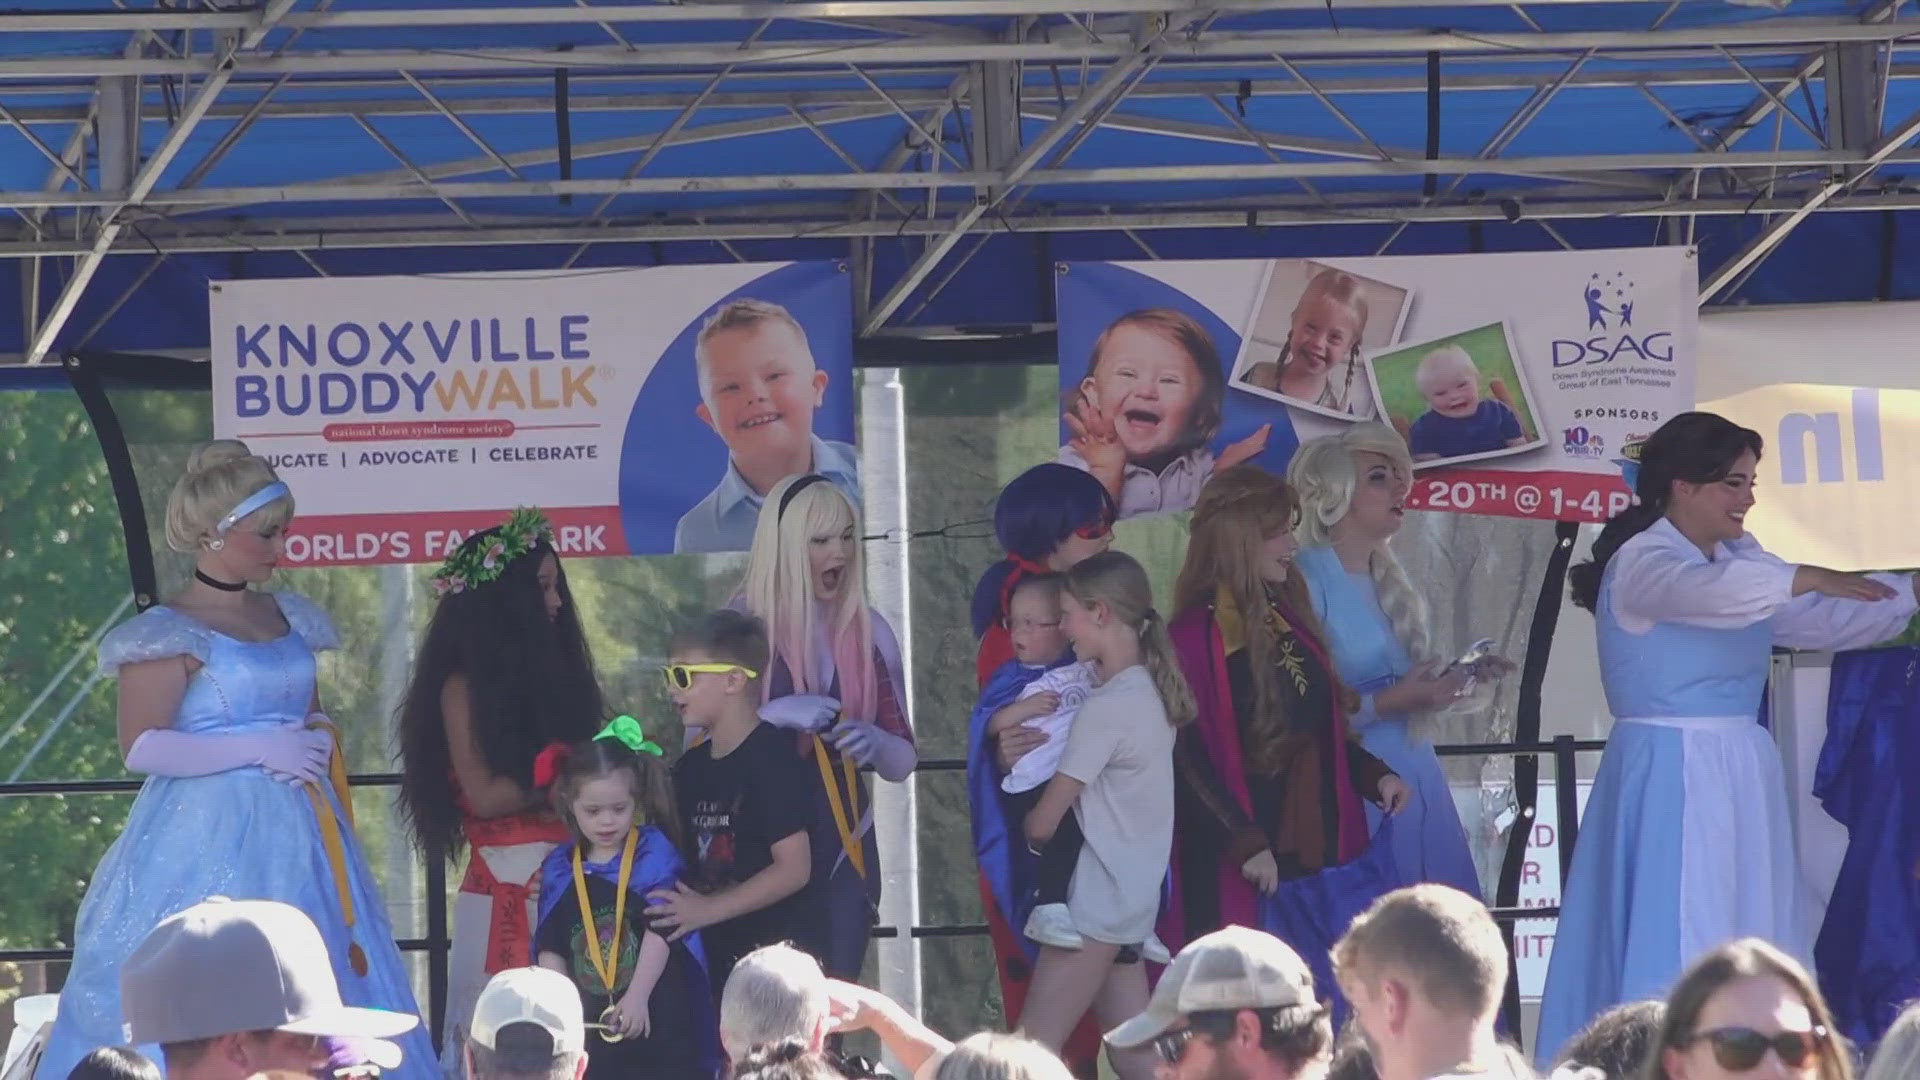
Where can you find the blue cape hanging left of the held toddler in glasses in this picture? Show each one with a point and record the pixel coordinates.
(999, 845)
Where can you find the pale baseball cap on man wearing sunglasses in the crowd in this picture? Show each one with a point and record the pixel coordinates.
(1224, 971)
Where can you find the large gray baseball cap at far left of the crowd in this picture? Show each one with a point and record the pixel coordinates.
(241, 966)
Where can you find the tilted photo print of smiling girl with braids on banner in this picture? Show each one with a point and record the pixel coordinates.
(1308, 331)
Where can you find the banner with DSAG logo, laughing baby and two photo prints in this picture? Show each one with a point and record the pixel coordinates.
(1520, 381)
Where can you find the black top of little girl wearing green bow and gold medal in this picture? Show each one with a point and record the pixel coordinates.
(671, 1048)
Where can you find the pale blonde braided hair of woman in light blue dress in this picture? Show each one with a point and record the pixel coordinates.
(1326, 476)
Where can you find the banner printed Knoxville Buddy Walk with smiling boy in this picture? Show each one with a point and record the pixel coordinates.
(644, 410)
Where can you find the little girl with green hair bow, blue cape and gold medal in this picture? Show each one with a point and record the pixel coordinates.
(648, 991)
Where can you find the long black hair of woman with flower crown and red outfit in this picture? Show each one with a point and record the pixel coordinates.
(529, 679)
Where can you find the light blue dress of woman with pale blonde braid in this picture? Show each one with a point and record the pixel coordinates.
(1429, 843)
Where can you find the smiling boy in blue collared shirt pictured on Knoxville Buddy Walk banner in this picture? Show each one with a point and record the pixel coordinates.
(759, 391)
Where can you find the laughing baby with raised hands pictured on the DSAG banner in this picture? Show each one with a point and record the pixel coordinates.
(1149, 410)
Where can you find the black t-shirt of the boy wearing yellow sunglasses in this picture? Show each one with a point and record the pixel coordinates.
(736, 808)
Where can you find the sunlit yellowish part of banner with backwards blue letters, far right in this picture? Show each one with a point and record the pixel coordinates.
(1842, 470)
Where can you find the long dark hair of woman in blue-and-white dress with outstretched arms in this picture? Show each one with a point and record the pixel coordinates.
(1698, 449)
